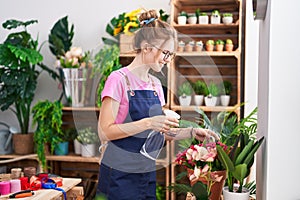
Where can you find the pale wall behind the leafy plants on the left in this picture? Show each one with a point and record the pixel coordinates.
(89, 18)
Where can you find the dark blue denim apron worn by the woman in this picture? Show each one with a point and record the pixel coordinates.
(126, 174)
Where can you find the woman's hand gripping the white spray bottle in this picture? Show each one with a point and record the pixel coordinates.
(162, 123)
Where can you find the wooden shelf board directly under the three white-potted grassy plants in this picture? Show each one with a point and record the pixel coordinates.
(204, 108)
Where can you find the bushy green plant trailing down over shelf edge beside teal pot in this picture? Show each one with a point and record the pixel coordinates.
(48, 118)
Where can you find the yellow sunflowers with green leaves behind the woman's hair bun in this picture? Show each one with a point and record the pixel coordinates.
(125, 23)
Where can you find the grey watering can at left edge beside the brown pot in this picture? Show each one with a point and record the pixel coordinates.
(6, 139)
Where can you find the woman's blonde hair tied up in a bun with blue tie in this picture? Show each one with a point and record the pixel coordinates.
(152, 28)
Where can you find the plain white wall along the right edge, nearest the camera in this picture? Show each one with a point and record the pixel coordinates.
(278, 102)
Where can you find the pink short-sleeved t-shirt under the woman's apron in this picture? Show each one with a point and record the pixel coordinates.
(116, 88)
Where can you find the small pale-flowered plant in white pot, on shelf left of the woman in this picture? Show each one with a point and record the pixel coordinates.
(88, 139)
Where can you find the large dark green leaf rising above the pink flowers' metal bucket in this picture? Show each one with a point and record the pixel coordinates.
(60, 37)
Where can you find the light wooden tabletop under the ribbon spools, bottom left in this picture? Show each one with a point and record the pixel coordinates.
(50, 194)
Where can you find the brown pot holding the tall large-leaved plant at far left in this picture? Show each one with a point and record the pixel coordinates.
(23, 143)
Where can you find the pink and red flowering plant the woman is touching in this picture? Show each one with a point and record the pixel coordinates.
(202, 164)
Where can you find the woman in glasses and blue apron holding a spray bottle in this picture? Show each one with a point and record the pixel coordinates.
(131, 118)
